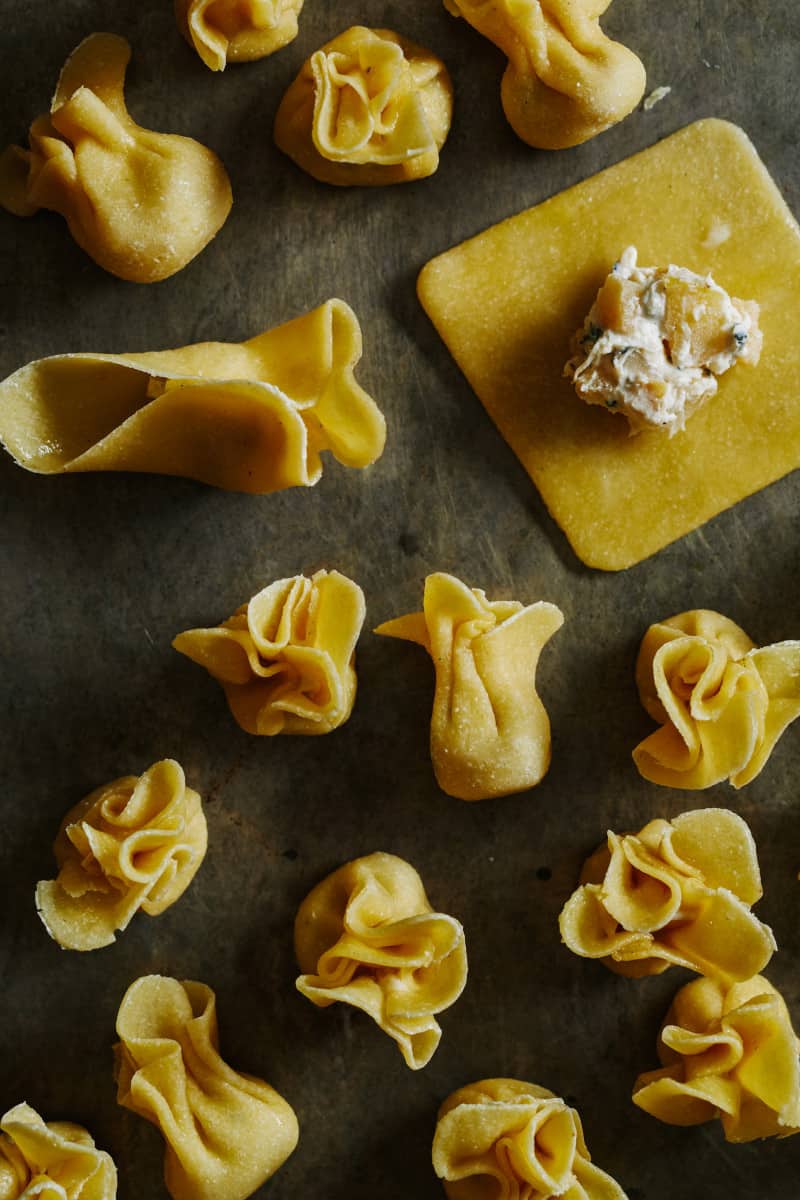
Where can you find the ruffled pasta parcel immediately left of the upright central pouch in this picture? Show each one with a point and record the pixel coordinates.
(286, 658)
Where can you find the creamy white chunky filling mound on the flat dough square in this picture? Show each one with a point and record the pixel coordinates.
(637, 370)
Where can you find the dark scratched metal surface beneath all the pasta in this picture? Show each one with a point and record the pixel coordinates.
(100, 573)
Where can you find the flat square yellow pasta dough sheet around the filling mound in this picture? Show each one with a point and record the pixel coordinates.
(508, 303)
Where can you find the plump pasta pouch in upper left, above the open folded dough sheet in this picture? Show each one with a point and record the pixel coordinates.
(142, 205)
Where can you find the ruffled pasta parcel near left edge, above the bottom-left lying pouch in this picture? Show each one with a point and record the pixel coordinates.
(134, 844)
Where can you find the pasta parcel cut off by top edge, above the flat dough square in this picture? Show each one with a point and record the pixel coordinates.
(566, 81)
